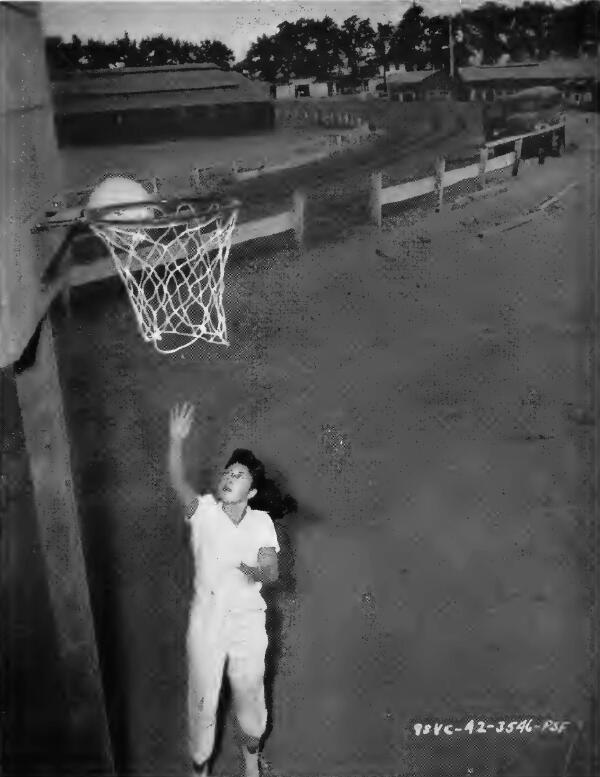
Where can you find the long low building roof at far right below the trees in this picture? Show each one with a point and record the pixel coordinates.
(551, 69)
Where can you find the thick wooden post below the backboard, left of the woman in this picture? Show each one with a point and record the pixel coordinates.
(46, 437)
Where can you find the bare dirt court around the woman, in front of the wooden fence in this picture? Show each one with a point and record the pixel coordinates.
(416, 391)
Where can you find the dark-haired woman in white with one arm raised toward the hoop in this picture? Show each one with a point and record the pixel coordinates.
(235, 552)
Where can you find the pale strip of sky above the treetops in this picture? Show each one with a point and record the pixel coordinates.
(237, 23)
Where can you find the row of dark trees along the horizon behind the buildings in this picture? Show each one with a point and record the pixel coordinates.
(492, 33)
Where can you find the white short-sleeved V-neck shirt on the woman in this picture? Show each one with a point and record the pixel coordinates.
(219, 546)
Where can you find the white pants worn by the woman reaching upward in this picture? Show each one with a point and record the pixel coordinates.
(214, 639)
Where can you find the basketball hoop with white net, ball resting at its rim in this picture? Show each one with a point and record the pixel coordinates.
(171, 256)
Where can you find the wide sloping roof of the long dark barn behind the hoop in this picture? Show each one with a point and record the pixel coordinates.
(171, 86)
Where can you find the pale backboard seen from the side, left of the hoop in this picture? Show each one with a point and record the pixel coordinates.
(31, 174)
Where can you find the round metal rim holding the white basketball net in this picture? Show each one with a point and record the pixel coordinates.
(168, 212)
